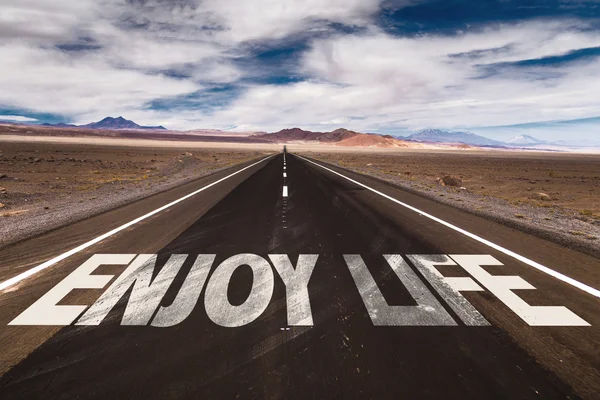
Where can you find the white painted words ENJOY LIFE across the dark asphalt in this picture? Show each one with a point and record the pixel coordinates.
(144, 303)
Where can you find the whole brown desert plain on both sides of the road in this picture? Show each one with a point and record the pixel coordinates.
(56, 179)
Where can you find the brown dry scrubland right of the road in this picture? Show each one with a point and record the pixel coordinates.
(555, 195)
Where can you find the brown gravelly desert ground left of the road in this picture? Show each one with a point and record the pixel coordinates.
(46, 185)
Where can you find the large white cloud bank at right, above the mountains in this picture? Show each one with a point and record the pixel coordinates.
(381, 81)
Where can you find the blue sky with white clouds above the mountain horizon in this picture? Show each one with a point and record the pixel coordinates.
(494, 67)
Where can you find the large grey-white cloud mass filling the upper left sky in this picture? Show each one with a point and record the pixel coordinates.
(93, 58)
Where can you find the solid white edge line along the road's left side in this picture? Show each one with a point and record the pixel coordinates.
(14, 280)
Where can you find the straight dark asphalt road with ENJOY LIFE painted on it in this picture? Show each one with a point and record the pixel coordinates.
(288, 278)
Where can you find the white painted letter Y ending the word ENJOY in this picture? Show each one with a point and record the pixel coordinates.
(296, 286)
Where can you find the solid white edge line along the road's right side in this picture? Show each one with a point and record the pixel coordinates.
(525, 260)
